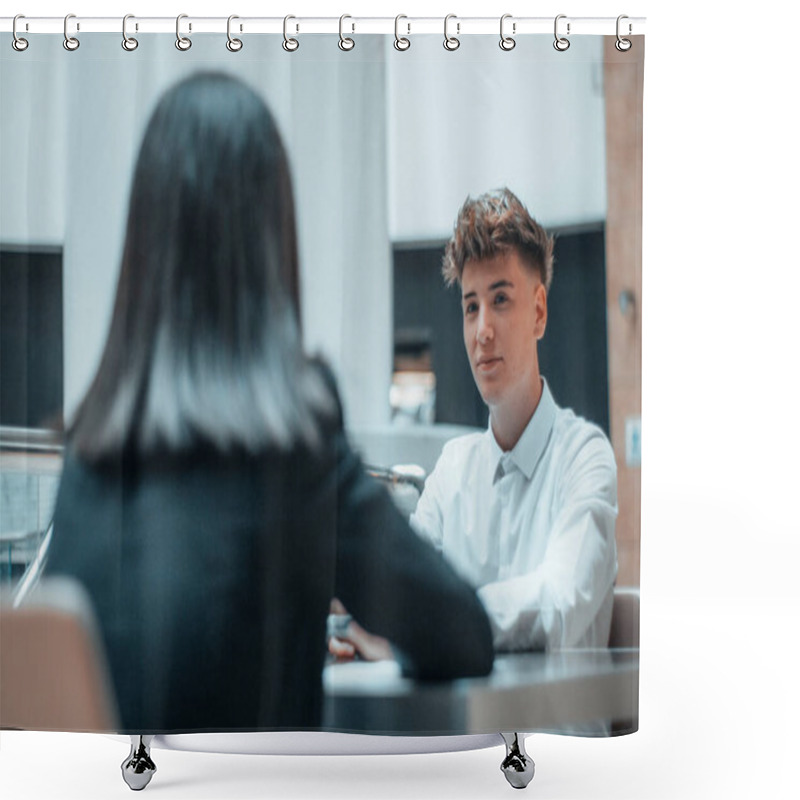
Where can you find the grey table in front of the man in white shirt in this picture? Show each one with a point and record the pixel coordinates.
(567, 691)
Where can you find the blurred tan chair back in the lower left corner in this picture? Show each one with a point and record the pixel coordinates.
(53, 675)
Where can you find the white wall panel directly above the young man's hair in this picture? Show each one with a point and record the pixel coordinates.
(465, 122)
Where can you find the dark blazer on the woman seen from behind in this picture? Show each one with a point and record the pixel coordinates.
(211, 577)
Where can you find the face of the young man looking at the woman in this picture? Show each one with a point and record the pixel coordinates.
(504, 306)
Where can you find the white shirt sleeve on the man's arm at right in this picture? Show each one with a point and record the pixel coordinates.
(554, 605)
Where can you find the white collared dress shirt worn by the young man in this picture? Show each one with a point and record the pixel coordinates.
(531, 529)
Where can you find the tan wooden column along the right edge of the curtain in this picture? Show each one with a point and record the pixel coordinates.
(623, 80)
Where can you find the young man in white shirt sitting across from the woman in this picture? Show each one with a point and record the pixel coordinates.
(526, 510)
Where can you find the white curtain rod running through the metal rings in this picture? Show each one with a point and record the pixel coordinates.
(405, 26)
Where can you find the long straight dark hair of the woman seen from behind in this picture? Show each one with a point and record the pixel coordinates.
(204, 345)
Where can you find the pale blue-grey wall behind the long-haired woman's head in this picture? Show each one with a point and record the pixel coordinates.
(70, 129)
